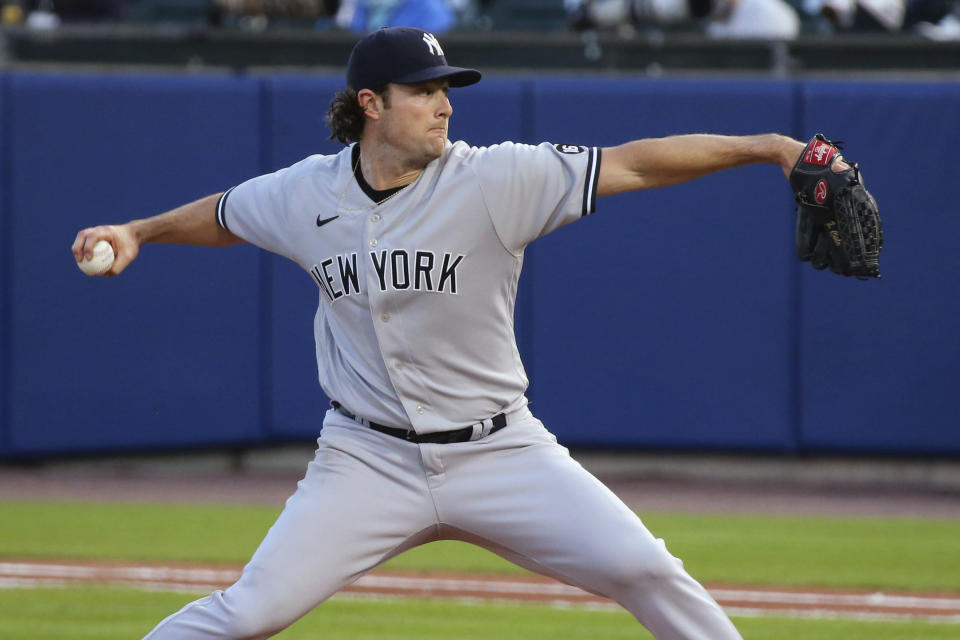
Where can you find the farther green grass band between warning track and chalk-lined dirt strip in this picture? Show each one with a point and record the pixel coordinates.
(888, 553)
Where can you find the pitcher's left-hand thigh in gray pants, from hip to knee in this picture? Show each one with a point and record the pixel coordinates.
(346, 516)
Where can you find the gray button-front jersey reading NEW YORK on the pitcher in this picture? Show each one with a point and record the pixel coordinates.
(415, 320)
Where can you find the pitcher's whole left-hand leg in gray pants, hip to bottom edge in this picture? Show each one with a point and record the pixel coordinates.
(345, 517)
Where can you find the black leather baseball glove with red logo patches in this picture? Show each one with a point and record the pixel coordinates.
(838, 222)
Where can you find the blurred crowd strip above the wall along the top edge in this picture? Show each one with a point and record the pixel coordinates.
(766, 19)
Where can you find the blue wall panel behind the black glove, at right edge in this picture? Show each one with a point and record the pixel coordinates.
(880, 358)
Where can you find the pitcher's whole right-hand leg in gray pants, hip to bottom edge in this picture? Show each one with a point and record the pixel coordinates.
(539, 508)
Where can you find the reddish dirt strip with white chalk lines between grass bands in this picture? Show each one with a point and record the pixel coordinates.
(736, 601)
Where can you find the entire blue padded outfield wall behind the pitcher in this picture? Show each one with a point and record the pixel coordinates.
(674, 318)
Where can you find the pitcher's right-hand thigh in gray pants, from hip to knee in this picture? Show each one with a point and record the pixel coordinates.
(540, 503)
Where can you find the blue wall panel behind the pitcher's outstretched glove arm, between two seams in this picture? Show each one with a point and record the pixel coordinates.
(666, 318)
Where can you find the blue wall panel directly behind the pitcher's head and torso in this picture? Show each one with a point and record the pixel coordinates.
(483, 114)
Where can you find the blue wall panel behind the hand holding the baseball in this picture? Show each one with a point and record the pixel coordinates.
(167, 354)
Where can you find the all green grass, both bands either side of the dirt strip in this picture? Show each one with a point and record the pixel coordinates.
(881, 553)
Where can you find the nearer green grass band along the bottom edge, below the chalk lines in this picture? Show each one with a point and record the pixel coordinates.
(105, 614)
